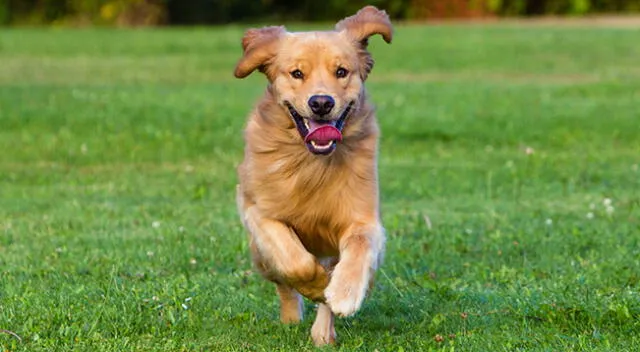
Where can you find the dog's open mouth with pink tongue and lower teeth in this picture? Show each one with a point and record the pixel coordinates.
(320, 136)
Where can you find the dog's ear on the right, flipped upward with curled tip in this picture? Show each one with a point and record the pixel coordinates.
(359, 27)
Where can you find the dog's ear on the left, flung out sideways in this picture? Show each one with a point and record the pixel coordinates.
(259, 46)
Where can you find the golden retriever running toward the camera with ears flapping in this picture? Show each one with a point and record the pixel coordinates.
(308, 192)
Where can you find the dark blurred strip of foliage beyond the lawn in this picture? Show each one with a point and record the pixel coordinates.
(208, 12)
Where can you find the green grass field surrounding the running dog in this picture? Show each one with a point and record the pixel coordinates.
(510, 183)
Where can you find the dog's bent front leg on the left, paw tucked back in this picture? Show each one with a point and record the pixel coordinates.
(284, 256)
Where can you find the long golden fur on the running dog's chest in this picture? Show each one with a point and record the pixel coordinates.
(319, 197)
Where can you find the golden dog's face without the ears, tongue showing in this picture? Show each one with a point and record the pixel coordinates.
(316, 78)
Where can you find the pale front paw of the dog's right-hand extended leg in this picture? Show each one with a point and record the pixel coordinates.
(345, 297)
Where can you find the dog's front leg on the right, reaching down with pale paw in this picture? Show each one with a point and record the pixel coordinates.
(361, 251)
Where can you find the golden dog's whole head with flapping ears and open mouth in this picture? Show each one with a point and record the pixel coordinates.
(316, 77)
